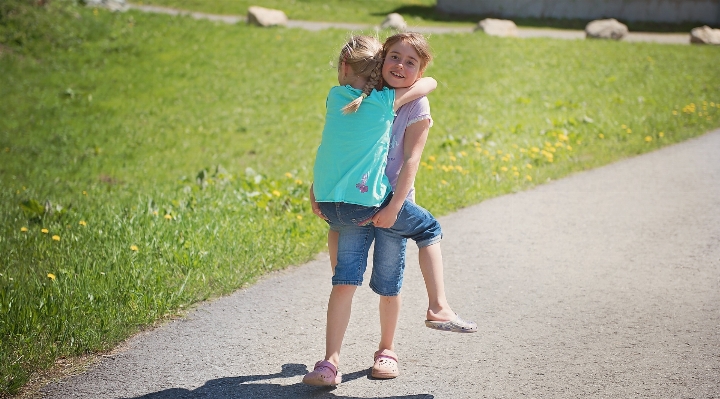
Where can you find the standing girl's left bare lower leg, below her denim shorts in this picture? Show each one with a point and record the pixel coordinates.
(339, 307)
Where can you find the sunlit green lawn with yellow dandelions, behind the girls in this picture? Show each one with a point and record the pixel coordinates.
(168, 160)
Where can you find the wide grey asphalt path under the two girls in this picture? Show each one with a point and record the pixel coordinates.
(605, 284)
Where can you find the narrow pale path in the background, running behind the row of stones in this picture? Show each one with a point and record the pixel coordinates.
(667, 38)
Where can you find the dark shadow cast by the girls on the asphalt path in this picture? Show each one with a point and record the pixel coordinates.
(239, 388)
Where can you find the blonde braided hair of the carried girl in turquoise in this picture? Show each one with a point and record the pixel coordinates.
(364, 55)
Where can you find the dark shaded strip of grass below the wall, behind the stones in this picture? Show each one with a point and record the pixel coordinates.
(429, 13)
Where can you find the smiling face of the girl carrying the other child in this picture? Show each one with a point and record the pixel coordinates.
(402, 66)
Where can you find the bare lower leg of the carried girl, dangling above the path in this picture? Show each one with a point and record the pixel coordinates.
(431, 266)
